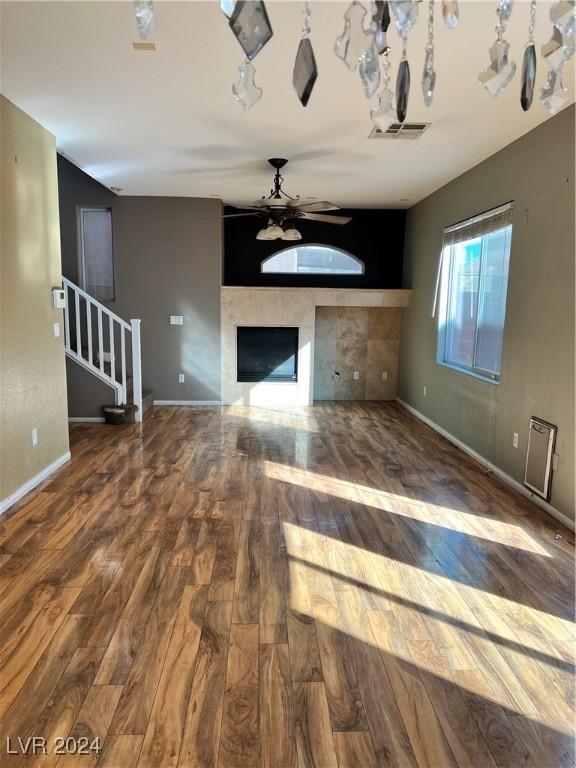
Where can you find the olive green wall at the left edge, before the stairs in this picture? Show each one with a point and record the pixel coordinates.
(32, 370)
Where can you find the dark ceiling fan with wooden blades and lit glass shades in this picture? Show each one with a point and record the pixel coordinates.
(281, 210)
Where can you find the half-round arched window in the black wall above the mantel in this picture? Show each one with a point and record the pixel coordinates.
(313, 259)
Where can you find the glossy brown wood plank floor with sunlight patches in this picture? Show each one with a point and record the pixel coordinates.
(332, 587)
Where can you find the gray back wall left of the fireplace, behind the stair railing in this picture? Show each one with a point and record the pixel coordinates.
(167, 261)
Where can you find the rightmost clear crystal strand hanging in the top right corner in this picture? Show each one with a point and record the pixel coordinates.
(557, 52)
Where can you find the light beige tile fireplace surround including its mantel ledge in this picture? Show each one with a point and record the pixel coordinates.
(285, 307)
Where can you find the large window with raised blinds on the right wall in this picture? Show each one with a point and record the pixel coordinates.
(473, 287)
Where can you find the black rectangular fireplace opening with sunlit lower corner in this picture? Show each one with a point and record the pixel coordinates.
(267, 354)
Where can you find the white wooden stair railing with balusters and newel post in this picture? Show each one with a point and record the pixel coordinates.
(98, 354)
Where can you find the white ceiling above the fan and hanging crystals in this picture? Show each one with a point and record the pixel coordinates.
(165, 122)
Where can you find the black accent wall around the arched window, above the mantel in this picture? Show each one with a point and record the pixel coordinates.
(374, 236)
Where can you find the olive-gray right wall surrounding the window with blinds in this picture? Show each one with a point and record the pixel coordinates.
(537, 173)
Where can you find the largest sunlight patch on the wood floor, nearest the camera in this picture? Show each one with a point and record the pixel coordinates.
(336, 583)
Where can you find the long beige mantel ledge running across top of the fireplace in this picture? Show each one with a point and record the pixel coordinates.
(332, 297)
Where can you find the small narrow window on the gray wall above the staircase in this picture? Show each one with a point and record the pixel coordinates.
(96, 262)
